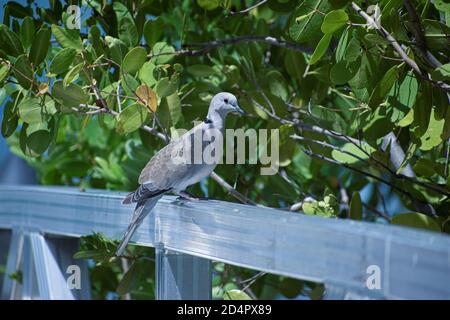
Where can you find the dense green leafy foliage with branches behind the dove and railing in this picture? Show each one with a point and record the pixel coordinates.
(89, 107)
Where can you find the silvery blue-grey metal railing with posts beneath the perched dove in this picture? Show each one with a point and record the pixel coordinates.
(349, 257)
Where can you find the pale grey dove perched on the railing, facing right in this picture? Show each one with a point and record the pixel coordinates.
(174, 168)
